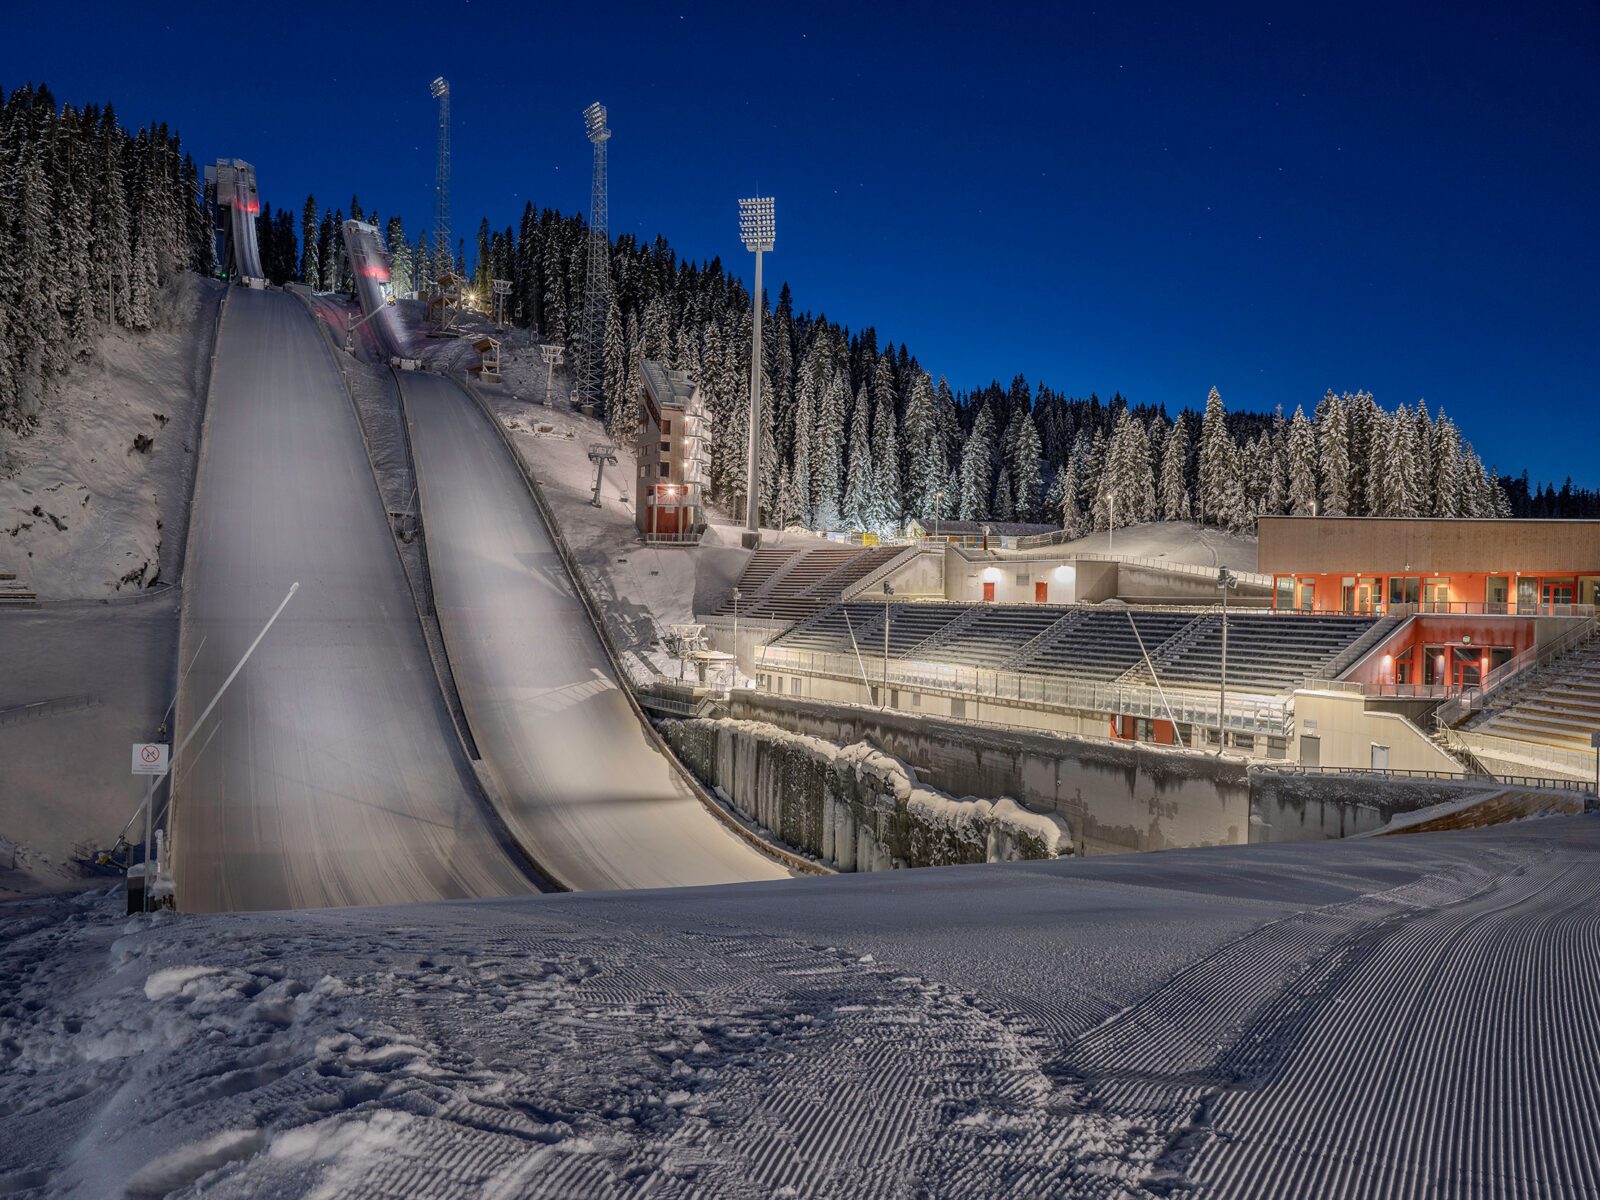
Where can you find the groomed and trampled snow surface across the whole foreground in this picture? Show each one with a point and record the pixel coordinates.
(1404, 1018)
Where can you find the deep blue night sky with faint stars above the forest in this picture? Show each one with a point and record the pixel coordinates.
(1135, 198)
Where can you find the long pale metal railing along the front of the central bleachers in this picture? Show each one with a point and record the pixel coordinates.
(1244, 713)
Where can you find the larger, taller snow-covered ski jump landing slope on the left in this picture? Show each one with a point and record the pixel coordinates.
(330, 774)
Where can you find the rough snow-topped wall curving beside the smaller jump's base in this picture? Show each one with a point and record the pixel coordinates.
(857, 807)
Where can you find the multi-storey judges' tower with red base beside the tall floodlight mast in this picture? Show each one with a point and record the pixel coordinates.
(674, 457)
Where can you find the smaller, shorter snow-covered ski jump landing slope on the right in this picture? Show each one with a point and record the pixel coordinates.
(586, 790)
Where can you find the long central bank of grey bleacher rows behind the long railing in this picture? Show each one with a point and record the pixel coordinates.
(1268, 655)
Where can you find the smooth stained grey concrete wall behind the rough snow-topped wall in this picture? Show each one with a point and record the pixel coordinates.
(1114, 798)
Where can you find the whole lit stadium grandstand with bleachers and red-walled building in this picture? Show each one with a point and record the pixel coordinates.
(1348, 673)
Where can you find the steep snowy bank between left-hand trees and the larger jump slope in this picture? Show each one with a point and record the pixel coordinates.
(86, 511)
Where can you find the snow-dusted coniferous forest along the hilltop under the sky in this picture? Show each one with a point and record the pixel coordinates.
(857, 433)
